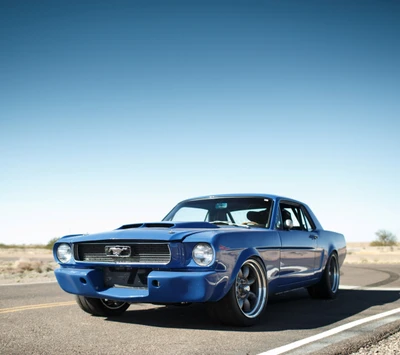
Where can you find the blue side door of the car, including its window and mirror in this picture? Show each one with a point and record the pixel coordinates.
(299, 244)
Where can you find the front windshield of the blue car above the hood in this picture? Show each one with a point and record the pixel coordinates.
(252, 211)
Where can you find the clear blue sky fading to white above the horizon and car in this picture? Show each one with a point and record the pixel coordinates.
(112, 112)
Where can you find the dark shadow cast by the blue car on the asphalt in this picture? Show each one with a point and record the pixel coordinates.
(292, 310)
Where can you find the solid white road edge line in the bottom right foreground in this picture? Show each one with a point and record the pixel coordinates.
(328, 333)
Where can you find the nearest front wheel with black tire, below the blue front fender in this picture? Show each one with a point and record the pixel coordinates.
(245, 302)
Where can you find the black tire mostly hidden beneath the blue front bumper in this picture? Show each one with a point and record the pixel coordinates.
(101, 307)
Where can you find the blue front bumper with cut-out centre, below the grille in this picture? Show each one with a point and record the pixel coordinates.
(162, 286)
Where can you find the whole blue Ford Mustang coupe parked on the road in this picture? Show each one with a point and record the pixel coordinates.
(228, 251)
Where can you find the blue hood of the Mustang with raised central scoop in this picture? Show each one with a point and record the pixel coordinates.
(162, 231)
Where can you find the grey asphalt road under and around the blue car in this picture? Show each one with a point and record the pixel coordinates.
(42, 319)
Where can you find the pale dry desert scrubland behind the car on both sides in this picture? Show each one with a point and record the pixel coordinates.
(26, 265)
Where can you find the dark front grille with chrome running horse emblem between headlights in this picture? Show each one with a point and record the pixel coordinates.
(142, 253)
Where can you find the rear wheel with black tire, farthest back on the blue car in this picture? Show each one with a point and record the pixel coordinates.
(328, 286)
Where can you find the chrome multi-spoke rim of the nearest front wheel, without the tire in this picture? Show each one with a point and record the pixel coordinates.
(251, 288)
